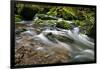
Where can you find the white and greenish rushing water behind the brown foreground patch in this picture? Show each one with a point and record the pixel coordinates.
(81, 47)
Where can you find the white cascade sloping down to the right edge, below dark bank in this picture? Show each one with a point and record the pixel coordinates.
(79, 38)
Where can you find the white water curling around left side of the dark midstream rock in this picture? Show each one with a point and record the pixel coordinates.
(42, 37)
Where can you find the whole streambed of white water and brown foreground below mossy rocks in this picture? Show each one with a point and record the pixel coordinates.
(47, 45)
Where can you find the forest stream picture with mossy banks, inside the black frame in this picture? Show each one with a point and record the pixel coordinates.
(53, 34)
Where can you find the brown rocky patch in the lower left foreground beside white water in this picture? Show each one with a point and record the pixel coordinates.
(29, 51)
